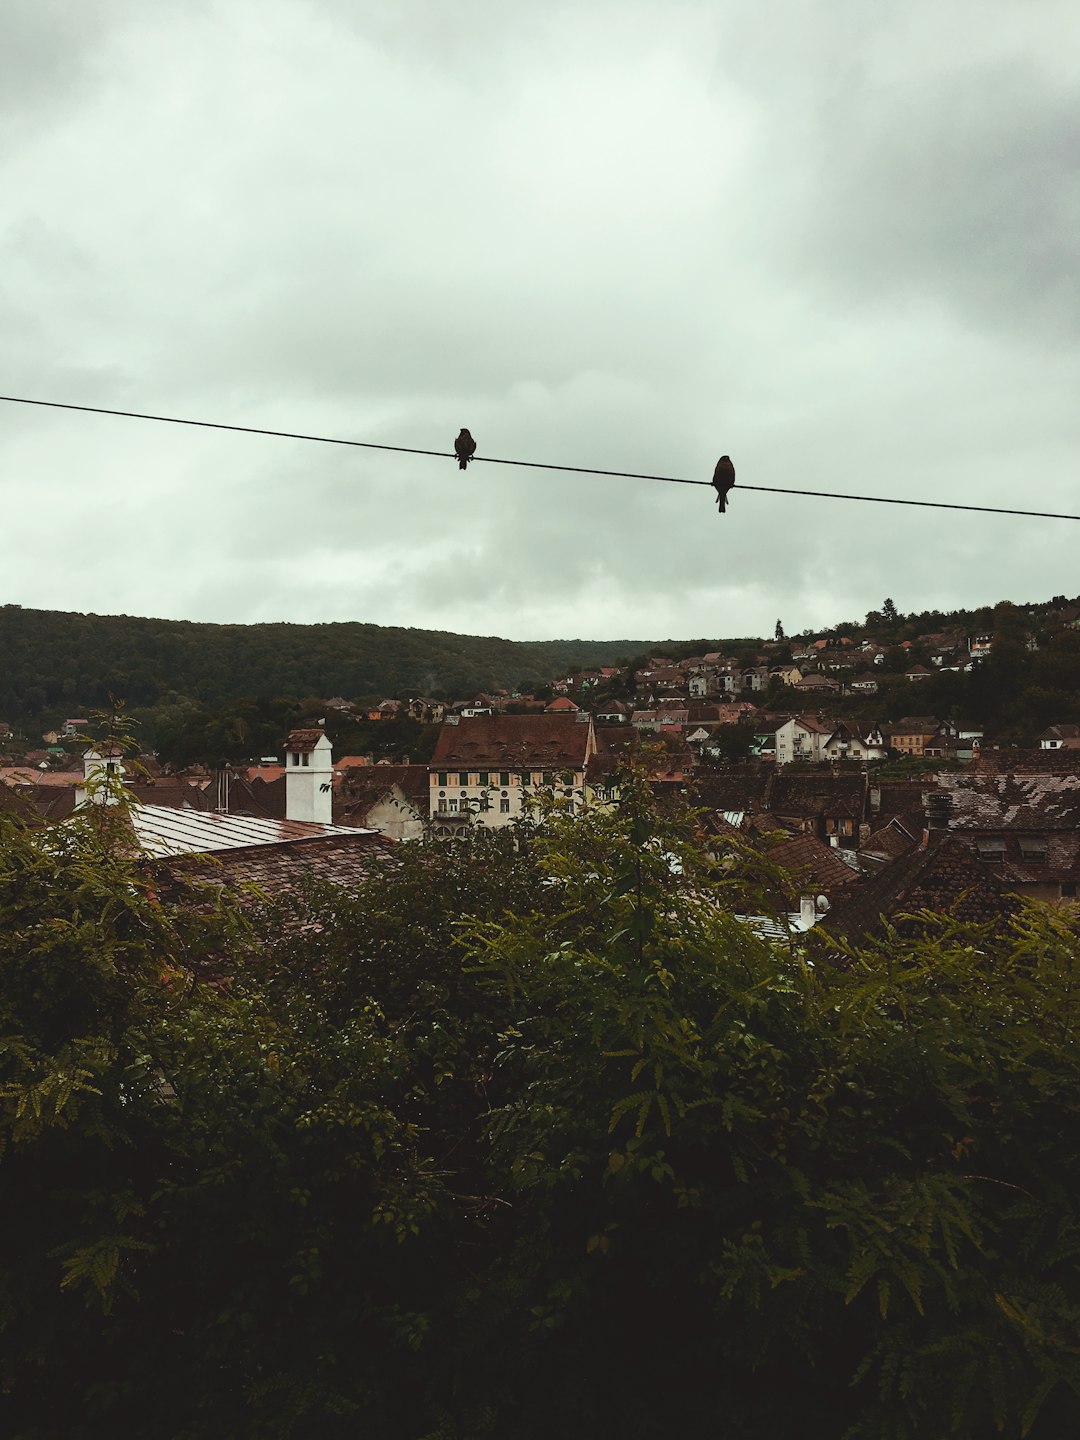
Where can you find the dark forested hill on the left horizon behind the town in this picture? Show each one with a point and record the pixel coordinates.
(57, 659)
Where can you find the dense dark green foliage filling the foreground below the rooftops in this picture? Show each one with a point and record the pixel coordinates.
(532, 1137)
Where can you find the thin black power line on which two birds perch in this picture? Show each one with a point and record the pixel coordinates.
(529, 464)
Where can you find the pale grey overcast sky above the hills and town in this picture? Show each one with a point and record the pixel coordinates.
(834, 240)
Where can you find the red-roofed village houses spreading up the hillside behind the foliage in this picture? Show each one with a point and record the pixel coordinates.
(786, 747)
